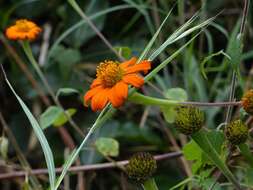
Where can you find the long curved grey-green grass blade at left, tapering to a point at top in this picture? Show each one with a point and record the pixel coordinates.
(40, 135)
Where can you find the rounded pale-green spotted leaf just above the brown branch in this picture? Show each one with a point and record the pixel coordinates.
(107, 146)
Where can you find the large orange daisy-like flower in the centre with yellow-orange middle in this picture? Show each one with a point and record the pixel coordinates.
(111, 84)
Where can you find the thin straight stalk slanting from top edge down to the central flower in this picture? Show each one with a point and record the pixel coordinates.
(77, 8)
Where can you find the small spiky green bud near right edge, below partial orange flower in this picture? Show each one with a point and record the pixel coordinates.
(236, 132)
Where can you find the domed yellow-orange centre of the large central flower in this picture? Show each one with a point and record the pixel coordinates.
(109, 72)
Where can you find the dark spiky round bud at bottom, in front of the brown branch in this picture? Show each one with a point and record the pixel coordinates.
(141, 166)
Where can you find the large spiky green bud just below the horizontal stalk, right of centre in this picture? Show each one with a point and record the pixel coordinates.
(189, 120)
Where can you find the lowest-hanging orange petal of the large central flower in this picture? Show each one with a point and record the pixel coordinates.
(99, 100)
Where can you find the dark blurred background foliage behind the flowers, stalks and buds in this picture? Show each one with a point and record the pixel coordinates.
(68, 52)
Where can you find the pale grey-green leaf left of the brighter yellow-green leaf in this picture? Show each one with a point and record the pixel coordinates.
(50, 116)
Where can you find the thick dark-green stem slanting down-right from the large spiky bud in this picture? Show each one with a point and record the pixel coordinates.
(201, 139)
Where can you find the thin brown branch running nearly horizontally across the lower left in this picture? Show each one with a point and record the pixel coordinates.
(75, 169)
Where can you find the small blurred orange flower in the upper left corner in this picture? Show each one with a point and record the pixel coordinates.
(23, 30)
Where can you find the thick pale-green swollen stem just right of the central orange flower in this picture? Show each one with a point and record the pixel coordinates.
(147, 100)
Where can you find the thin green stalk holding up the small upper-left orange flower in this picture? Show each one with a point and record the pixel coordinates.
(27, 49)
